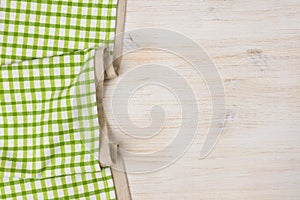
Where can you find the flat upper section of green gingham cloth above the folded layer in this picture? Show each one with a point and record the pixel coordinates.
(39, 28)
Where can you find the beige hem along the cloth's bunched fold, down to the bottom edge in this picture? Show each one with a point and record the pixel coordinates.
(109, 154)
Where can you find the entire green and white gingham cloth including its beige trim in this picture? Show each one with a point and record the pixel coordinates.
(54, 57)
